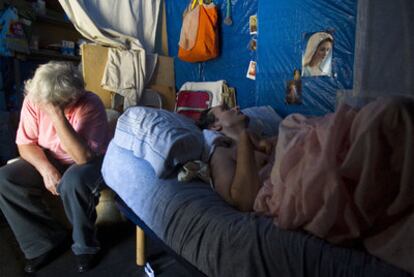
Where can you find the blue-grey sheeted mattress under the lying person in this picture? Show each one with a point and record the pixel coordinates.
(217, 239)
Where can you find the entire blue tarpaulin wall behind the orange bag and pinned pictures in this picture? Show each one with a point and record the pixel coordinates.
(283, 27)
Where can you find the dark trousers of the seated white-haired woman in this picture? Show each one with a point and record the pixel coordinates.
(23, 204)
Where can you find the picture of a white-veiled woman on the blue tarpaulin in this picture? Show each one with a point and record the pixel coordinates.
(317, 54)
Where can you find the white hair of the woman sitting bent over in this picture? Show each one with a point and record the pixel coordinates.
(59, 83)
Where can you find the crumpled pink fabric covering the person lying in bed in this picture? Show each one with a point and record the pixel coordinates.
(348, 175)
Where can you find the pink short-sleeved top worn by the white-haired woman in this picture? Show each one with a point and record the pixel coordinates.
(87, 117)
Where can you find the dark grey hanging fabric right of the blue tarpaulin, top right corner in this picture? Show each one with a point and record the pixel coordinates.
(384, 50)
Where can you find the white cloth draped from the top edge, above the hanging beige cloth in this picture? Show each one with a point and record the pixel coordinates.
(119, 23)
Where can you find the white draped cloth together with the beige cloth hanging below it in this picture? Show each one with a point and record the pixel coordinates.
(130, 27)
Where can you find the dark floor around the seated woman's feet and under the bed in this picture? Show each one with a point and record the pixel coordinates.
(118, 248)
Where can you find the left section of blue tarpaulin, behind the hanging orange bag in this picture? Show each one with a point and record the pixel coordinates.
(234, 57)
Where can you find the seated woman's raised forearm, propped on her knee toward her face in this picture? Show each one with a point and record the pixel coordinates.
(71, 141)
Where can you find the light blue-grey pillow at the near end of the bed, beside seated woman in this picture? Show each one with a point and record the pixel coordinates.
(163, 138)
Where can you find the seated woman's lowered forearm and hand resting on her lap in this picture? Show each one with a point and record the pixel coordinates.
(36, 157)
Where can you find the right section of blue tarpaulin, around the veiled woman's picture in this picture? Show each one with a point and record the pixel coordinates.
(283, 25)
